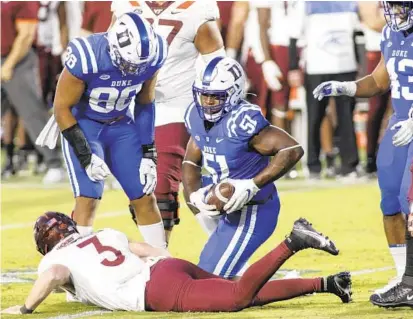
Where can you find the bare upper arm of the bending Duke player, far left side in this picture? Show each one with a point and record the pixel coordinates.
(68, 92)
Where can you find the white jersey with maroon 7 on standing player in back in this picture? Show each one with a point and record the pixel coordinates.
(178, 22)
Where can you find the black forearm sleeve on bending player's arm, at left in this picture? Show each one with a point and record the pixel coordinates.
(77, 140)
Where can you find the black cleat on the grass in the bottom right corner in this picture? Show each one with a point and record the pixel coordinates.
(400, 295)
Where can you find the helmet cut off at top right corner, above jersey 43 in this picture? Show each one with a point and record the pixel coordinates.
(398, 14)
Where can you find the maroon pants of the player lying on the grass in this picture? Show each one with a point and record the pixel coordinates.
(178, 285)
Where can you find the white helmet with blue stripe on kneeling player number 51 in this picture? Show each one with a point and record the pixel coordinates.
(218, 88)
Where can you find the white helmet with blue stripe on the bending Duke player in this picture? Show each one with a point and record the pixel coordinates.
(132, 44)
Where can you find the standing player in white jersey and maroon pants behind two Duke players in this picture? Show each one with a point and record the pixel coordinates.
(191, 29)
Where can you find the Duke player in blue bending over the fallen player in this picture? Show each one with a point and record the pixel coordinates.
(104, 74)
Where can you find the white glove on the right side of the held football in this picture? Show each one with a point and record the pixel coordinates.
(245, 190)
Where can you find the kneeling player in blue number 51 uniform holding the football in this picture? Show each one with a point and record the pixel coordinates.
(232, 140)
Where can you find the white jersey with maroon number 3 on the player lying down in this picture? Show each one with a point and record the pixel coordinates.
(103, 270)
